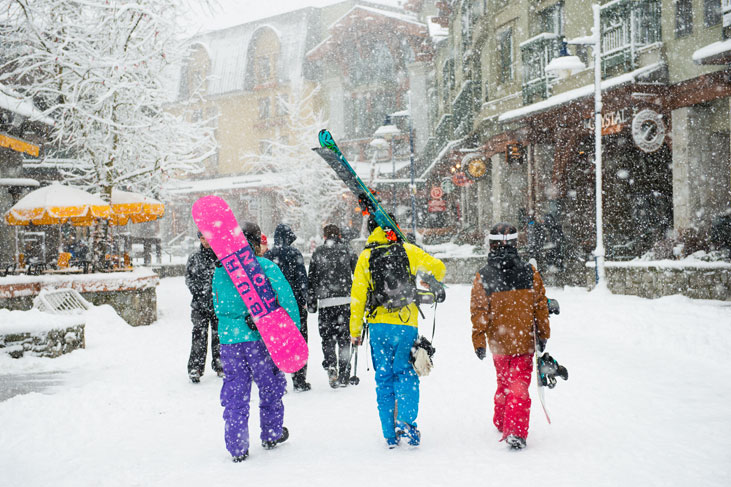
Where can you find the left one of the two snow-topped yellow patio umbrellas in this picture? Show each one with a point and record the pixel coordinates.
(56, 204)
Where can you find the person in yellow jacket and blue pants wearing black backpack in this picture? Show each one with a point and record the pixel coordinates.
(384, 293)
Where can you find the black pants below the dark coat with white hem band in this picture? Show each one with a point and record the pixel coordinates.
(334, 327)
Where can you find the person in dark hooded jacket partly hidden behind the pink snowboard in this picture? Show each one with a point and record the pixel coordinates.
(292, 264)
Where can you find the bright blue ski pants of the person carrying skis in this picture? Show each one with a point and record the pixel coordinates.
(396, 380)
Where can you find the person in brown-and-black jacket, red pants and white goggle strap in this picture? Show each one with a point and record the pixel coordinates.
(507, 298)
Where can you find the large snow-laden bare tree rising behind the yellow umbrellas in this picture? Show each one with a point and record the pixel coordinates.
(98, 68)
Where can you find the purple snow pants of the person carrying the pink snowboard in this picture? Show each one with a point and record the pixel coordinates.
(243, 362)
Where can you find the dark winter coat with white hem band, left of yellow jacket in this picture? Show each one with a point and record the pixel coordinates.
(331, 272)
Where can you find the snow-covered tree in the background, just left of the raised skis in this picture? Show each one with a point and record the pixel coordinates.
(311, 193)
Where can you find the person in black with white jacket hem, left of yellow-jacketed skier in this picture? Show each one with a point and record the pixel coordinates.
(329, 279)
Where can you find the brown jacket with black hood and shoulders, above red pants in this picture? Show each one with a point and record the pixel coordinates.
(507, 298)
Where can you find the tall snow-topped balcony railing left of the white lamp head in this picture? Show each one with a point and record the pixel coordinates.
(536, 53)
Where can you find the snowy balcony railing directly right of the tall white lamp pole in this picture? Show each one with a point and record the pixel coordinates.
(627, 26)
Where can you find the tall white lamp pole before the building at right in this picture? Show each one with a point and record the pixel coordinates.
(599, 250)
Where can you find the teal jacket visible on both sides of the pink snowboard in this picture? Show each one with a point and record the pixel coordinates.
(232, 312)
